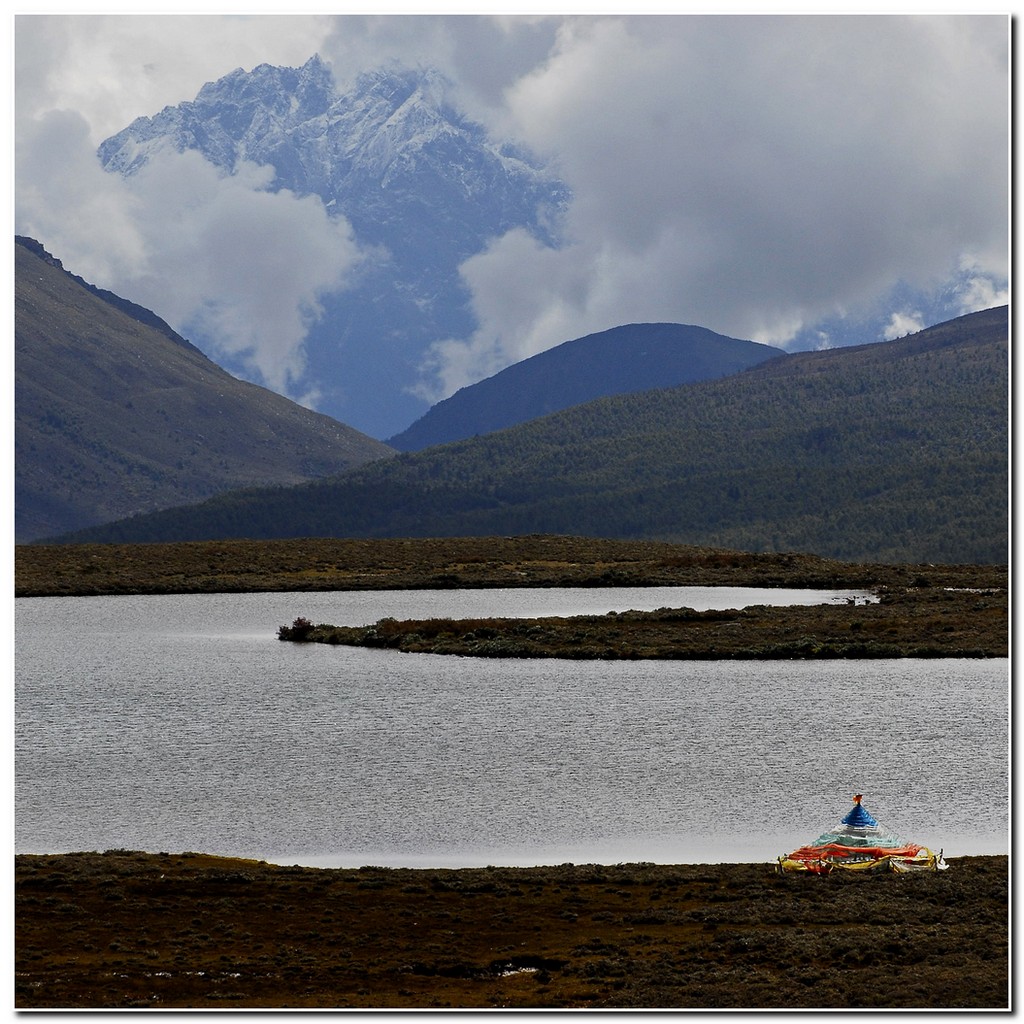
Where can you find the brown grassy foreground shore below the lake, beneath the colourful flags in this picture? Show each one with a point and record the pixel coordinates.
(131, 930)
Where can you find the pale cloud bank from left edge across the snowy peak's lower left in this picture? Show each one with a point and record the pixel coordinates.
(211, 253)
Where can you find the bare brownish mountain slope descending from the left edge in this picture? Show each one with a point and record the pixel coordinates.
(115, 414)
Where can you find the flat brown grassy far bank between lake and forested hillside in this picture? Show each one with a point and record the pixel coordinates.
(416, 564)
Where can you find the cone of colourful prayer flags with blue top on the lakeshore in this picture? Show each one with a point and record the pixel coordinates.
(859, 843)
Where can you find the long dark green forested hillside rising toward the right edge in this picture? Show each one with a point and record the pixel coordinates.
(895, 452)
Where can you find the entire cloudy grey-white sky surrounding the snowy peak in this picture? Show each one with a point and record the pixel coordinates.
(761, 177)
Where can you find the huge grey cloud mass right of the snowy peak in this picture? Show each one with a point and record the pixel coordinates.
(757, 177)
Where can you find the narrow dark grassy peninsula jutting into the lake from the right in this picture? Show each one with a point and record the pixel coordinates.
(916, 623)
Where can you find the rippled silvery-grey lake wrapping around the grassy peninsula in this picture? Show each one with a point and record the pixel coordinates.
(181, 723)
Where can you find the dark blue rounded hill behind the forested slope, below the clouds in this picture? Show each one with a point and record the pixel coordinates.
(633, 358)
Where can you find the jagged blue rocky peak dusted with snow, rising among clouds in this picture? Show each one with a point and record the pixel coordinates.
(423, 188)
